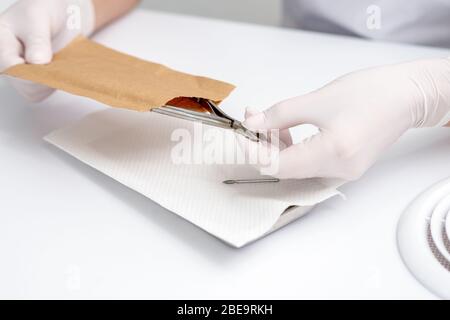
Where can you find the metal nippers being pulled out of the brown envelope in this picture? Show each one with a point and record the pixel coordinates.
(214, 117)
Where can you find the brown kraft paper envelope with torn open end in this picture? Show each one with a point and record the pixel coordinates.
(86, 68)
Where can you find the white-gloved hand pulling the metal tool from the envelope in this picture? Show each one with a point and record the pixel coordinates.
(359, 115)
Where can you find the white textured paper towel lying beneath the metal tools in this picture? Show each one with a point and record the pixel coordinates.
(135, 149)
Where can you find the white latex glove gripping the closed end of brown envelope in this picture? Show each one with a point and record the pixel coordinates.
(32, 30)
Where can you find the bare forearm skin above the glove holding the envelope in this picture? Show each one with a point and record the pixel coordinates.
(109, 10)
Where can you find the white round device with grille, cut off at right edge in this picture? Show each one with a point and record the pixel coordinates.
(419, 246)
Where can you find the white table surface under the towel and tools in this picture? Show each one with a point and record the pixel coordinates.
(67, 231)
